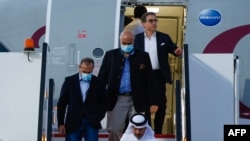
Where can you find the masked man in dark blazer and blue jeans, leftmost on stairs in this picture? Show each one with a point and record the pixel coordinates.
(83, 100)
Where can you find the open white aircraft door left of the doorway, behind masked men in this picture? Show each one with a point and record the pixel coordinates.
(78, 29)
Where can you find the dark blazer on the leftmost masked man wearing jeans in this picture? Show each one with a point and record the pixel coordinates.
(70, 100)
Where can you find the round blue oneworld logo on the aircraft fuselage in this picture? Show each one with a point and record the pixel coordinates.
(209, 17)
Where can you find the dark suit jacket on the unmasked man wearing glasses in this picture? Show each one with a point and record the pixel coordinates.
(165, 46)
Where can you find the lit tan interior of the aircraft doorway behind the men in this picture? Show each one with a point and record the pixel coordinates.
(171, 21)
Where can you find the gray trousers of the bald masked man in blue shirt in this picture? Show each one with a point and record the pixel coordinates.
(116, 118)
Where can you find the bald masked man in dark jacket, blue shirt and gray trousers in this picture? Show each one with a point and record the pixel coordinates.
(127, 74)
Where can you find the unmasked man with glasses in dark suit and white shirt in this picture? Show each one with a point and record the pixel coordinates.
(158, 45)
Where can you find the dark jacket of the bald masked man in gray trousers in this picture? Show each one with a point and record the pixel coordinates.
(140, 74)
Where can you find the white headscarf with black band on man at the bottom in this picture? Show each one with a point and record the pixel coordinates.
(138, 121)
